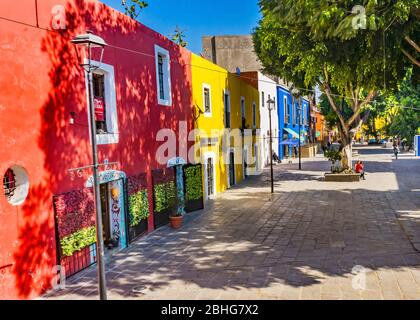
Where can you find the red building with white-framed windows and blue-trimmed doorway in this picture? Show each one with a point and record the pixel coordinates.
(46, 207)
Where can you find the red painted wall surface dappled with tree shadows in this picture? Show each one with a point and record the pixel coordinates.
(40, 85)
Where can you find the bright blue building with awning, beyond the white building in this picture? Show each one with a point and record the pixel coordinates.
(289, 122)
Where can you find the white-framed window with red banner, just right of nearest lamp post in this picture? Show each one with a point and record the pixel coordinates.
(105, 103)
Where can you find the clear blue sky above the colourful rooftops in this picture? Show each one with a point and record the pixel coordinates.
(198, 17)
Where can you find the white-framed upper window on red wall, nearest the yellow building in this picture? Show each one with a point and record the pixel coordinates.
(163, 76)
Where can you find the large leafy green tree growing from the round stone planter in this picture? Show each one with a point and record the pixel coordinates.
(321, 43)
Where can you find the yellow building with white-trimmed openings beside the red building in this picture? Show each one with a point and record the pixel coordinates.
(222, 101)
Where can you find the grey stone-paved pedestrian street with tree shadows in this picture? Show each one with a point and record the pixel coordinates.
(311, 240)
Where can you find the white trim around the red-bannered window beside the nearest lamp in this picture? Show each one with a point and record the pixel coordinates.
(110, 103)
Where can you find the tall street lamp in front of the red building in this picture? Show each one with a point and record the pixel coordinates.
(84, 44)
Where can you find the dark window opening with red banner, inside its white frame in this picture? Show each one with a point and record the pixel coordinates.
(99, 101)
